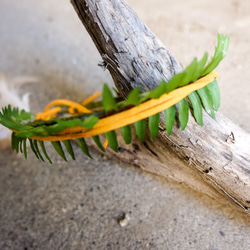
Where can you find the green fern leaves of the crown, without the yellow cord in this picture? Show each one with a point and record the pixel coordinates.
(25, 126)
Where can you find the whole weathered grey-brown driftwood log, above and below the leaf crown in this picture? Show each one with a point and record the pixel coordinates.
(213, 159)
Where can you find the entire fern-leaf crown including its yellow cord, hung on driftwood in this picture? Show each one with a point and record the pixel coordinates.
(196, 85)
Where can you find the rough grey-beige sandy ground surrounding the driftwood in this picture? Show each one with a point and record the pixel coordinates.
(77, 205)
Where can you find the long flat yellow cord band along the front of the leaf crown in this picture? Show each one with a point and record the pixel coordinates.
(134, 114)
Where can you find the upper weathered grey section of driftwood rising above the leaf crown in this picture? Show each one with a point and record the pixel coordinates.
(130, 51)
